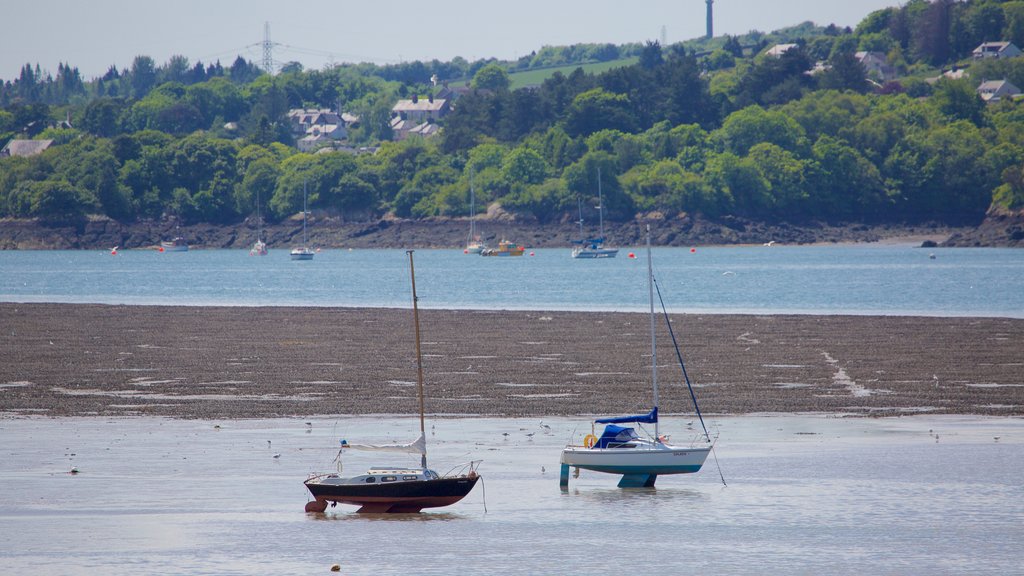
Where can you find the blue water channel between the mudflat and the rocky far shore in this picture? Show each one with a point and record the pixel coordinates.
(864, 279)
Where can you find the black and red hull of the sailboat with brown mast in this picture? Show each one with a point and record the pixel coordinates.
(410, 497)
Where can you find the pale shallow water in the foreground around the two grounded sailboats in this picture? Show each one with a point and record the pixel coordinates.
(805, 496)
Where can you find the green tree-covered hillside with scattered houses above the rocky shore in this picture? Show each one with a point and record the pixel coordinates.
(714, 128)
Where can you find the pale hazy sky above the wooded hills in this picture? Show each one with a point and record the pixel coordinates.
(95, 34)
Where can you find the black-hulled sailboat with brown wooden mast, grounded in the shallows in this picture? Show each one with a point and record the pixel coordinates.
(396, 489)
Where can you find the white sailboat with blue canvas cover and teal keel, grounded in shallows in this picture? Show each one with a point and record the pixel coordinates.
(641, 460)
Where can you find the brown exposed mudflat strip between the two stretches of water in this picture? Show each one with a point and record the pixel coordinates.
(81, 360)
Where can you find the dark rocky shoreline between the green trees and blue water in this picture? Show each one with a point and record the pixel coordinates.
(333, 232)
